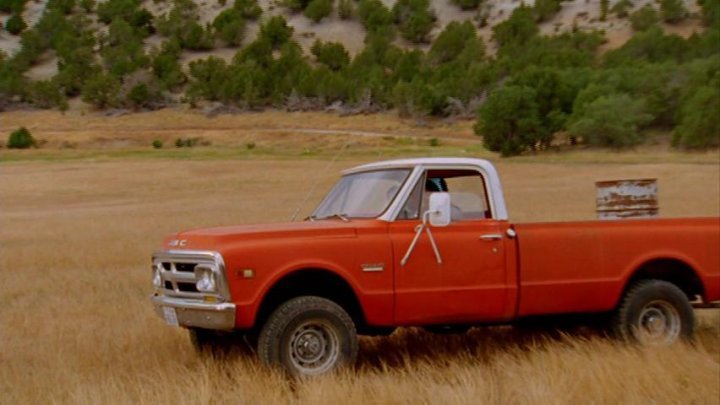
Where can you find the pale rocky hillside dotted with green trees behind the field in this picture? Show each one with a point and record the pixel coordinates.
(600, 71)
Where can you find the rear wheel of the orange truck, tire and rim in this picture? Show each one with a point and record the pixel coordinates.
(655, 313)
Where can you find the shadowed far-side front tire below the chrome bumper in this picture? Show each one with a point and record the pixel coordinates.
(219, 343)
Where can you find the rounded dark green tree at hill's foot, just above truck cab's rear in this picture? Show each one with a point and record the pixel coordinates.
(509, 121)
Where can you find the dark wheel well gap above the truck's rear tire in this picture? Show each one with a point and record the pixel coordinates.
(673, 271)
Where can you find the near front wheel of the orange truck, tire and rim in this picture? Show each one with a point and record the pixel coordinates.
(308, 336)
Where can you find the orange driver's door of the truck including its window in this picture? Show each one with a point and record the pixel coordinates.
(470, 282)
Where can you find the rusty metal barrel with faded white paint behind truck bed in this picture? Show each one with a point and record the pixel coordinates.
(619, 199)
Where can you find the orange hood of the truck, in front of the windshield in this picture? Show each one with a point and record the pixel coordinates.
(217, 237)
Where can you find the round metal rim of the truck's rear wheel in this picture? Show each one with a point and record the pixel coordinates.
(658, 324)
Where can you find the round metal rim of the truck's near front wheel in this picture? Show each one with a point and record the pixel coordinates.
(313, 348)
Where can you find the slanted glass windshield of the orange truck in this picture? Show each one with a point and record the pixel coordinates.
(362, 195)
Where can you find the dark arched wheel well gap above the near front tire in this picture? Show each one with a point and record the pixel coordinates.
(317, 282)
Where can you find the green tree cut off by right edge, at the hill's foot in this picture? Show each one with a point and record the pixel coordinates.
(699, 123)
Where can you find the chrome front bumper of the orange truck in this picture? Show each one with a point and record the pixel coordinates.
(192, 313)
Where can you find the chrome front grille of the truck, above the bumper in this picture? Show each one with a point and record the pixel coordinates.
(178, 272)
